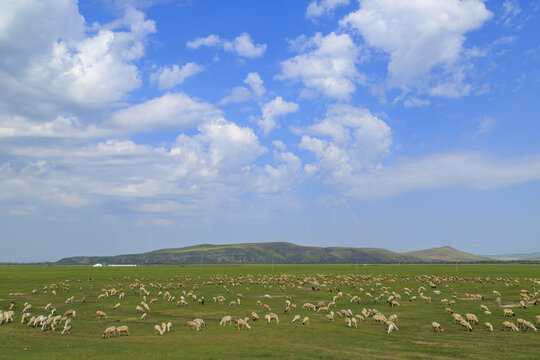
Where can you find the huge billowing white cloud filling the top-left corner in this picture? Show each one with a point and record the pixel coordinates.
(51, 61)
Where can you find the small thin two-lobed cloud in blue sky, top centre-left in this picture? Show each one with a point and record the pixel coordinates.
(242, 45)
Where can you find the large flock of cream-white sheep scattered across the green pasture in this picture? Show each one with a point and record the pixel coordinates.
(383, 290)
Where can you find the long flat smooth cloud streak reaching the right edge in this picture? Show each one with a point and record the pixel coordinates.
(451, 170)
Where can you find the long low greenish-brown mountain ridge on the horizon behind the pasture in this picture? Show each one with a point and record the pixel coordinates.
(277, 252)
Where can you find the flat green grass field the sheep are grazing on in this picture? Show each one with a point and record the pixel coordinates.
(318, 340)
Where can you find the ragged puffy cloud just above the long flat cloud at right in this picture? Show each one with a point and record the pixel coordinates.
(348, 141)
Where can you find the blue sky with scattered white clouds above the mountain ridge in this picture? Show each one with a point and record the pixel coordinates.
(130, 126)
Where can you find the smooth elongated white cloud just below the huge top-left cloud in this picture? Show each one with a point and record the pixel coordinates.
(172, 111)
